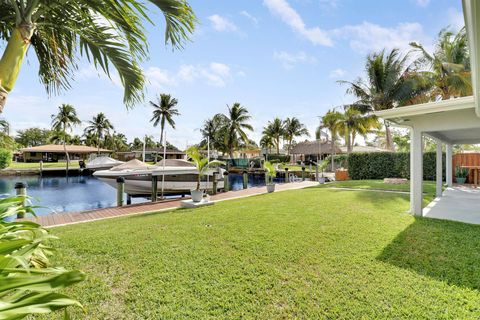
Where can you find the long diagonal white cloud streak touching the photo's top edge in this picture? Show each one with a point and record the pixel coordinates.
(288, 15)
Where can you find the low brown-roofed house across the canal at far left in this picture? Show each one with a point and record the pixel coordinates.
(55, 153)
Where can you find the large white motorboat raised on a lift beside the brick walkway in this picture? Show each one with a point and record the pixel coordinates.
(179, 177)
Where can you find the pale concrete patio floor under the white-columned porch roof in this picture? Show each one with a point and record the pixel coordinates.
(457, 204)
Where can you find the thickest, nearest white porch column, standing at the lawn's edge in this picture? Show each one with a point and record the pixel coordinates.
(416, 172)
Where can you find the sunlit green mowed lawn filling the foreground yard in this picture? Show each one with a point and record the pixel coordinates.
(308, 254)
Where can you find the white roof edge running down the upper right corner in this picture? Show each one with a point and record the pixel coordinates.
(471, 14)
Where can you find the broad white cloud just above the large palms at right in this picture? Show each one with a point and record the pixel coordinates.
(368, 37)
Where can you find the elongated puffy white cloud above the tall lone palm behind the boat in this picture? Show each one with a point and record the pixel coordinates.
(215, 74)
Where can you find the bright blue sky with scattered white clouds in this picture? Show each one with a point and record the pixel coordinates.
(278, 58)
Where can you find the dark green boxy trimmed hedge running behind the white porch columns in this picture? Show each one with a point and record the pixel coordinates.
(380, 165)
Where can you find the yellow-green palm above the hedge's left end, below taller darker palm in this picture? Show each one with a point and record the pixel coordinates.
(352, 123)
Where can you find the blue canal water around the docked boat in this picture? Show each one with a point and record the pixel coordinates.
(57, 194)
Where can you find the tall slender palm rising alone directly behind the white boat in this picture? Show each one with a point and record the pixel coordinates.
(164, 111)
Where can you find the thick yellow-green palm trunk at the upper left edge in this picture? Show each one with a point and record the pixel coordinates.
(12, 60)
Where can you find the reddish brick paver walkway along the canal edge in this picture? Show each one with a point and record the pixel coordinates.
(60, 219)
